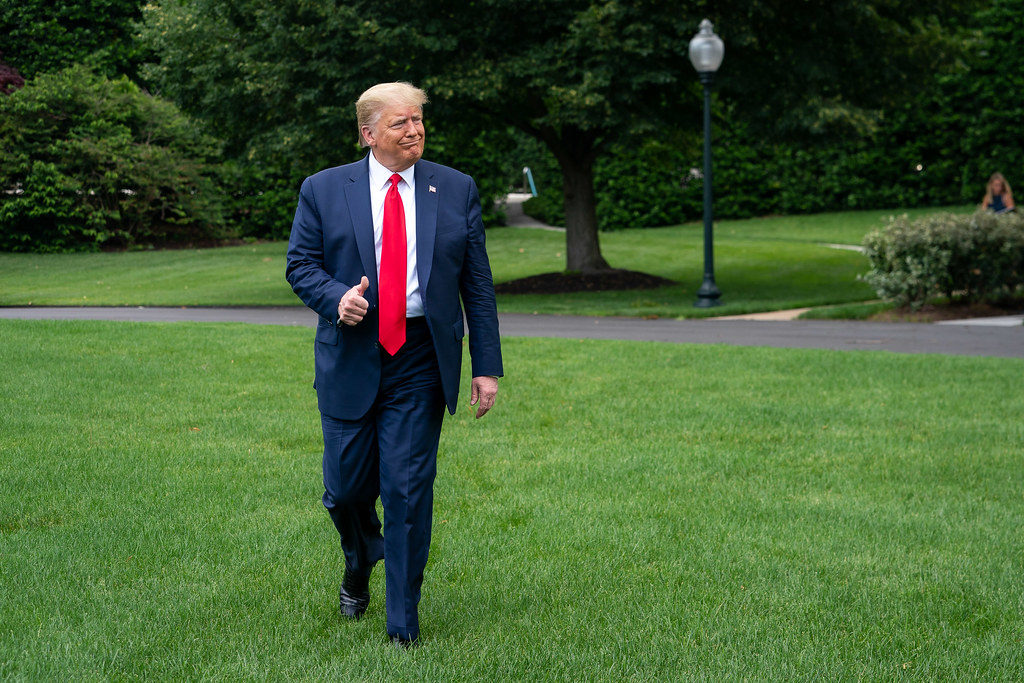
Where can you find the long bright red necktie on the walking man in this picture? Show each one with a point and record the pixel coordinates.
(394, 275)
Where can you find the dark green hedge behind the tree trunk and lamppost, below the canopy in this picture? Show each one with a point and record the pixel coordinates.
(651, 184)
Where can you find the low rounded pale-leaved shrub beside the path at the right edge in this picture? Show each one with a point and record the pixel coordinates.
(968, 258)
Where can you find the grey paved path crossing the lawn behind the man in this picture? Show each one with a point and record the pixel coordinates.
(960, 339)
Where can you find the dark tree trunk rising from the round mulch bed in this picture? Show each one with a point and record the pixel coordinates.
(583, 250)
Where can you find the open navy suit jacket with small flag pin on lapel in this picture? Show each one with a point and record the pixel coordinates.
(332, 247)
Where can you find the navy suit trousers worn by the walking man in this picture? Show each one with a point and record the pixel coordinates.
(391, 453)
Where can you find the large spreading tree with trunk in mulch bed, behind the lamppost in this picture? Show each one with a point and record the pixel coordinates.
(576, 74)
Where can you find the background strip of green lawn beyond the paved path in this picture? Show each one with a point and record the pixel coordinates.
(761, 265)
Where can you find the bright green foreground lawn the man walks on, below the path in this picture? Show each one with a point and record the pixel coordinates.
(628, 511)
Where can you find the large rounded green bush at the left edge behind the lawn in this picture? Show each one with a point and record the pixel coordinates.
(88, 162)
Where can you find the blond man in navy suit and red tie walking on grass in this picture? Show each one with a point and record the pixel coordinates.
(383, 250)
